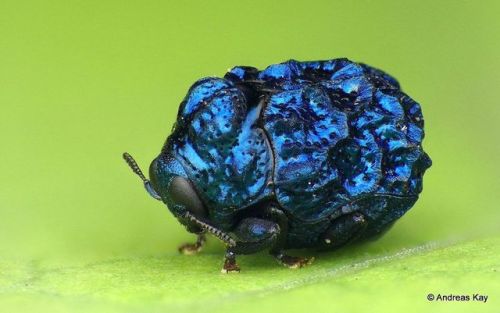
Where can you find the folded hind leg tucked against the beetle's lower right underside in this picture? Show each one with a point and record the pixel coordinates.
(344, 229)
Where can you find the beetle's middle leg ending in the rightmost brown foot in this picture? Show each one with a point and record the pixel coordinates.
(281, 219)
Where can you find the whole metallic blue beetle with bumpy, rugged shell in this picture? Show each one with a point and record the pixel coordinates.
(299, 155)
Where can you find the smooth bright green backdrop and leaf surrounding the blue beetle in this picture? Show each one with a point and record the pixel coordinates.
(83, 81)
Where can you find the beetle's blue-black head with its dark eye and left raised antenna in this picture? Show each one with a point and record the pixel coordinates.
(170, 184)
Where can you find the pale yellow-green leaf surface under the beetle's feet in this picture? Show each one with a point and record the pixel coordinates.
(358, 278)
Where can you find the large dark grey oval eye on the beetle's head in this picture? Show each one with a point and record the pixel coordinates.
(181, 192)
